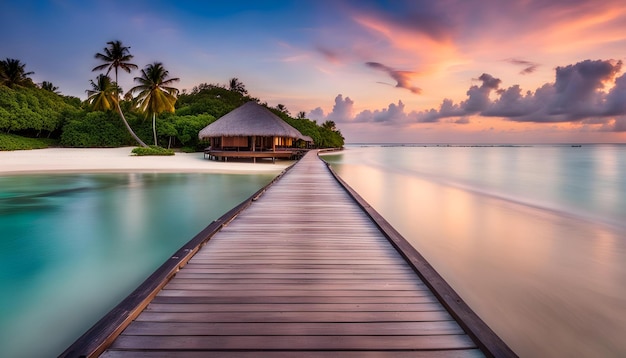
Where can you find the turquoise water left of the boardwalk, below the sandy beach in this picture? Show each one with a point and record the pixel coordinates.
(73, 246)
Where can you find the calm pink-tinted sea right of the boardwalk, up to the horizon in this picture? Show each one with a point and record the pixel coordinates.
(532, 237)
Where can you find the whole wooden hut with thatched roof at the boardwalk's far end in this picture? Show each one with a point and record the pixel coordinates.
(252, 131)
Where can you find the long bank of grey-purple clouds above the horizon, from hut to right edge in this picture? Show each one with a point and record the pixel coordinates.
(578, 95)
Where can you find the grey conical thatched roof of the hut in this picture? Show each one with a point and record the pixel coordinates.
(251, 119)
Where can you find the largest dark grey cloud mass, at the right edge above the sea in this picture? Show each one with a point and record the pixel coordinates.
(577, 94)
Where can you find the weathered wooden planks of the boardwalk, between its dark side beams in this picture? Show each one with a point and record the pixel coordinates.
(303, 271)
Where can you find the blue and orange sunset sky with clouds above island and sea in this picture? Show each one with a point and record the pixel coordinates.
(415, 71)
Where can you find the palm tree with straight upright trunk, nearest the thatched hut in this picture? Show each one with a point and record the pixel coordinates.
(155, 95)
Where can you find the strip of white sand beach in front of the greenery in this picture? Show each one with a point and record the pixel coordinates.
(121, 160)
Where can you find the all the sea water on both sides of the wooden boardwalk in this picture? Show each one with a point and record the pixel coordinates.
(532, 237)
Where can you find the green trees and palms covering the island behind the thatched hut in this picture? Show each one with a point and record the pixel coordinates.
(39, 115)
